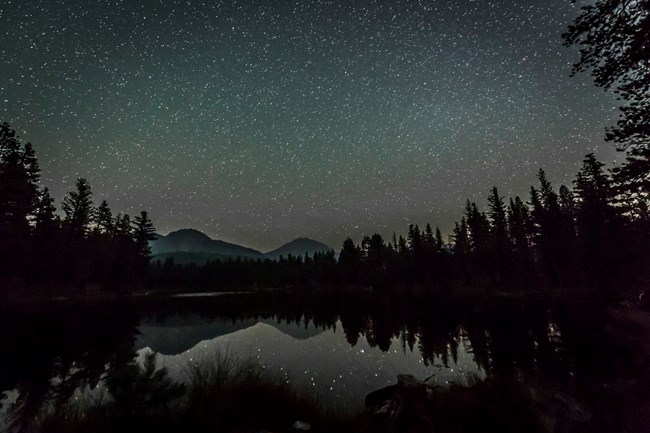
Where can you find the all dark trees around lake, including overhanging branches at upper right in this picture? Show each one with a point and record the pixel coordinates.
(595, 233)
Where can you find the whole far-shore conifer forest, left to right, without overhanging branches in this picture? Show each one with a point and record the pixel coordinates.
(593, 235)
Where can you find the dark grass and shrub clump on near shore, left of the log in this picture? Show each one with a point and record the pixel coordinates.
(221, 394)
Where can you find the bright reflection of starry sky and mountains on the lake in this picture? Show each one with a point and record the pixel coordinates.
(316, 359)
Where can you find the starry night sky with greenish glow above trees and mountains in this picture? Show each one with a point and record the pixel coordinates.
(260, 121)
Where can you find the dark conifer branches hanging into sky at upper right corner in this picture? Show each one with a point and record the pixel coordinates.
(613, 39)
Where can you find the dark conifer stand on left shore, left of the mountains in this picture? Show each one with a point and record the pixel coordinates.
(86, 244)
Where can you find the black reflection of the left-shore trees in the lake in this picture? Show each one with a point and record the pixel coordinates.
(51, 352)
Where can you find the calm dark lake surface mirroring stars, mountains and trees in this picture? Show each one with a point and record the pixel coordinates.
(574, 353)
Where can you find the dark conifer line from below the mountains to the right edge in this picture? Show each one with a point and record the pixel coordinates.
(589, 235)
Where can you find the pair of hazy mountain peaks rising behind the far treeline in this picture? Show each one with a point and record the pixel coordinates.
(193, 246)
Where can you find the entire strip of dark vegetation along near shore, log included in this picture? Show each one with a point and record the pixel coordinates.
(239, 397)
